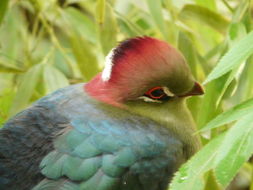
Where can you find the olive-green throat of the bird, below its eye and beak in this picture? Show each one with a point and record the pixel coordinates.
(176, 117)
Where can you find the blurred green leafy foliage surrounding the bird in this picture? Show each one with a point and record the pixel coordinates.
(48, 44)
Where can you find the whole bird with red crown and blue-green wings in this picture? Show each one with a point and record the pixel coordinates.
(128, 128)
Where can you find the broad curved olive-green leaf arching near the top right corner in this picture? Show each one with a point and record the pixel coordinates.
(204, 16)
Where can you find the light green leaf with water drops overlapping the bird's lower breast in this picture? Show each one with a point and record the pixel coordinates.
(190, 175)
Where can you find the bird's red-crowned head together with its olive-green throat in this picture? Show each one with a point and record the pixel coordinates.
(149, 77)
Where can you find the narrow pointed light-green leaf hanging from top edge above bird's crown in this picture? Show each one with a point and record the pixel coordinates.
(155, 8)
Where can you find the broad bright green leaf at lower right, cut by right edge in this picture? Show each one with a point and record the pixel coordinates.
(236, 149)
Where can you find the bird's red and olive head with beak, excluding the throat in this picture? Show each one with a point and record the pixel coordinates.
(143, 69)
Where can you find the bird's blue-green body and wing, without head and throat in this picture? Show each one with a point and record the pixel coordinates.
(85, 145)
